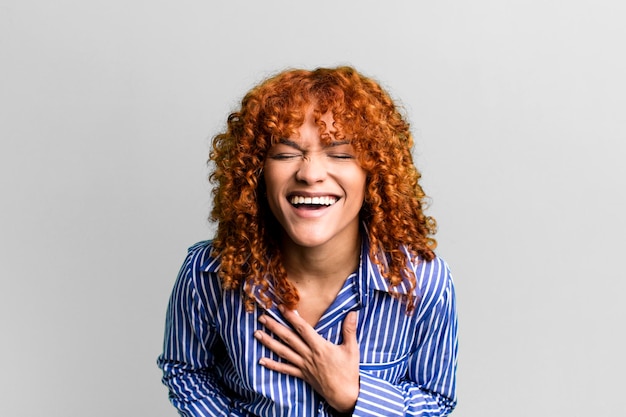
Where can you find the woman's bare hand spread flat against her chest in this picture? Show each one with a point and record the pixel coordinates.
(332, 370)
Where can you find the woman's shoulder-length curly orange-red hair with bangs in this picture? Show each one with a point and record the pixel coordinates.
(247, 239)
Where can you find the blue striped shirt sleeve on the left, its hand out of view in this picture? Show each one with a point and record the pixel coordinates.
(187, 361)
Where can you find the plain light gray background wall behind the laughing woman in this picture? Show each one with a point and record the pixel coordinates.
(106, 112)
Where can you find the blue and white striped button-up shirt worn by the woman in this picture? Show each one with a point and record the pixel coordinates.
(407, 362)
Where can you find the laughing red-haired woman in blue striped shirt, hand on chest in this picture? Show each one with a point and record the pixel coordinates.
(320, 293)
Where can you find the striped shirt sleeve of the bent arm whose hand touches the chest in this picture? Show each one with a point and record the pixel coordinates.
(428, 388)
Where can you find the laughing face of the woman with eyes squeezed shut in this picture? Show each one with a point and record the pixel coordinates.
(314, 190)
